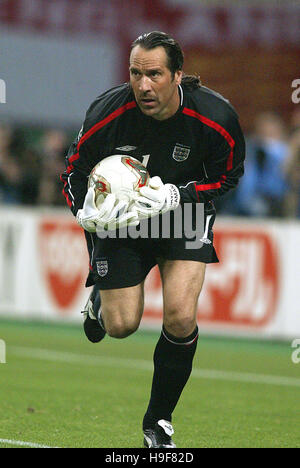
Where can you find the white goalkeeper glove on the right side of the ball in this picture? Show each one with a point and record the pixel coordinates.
(156, 198)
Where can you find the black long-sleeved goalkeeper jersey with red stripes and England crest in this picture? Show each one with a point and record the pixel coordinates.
(200, 149)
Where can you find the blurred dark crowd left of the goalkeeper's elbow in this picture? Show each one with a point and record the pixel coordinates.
(30, 166)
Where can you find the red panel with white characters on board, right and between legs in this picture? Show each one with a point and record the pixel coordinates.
(241, 290)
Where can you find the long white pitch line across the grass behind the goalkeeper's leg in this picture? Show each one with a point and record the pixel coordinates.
(88, 360)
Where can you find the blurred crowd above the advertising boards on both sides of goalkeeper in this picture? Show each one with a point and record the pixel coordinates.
(30, 169)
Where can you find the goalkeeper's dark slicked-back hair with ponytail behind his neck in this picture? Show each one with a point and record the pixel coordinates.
(174, 53)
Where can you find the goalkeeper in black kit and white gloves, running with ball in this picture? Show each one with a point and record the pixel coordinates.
(190, 141)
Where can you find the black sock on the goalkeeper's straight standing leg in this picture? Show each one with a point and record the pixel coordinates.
(173, 358)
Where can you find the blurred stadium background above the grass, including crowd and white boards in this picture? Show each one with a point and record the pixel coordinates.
(58, 56)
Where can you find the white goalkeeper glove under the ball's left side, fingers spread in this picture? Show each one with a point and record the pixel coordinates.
(110, 215)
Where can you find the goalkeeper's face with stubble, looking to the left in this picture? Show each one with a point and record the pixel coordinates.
(155, 90)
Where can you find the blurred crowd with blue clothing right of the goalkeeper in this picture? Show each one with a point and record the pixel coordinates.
(270, 186)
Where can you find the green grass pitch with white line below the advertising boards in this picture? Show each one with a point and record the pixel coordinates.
(59, 390)
